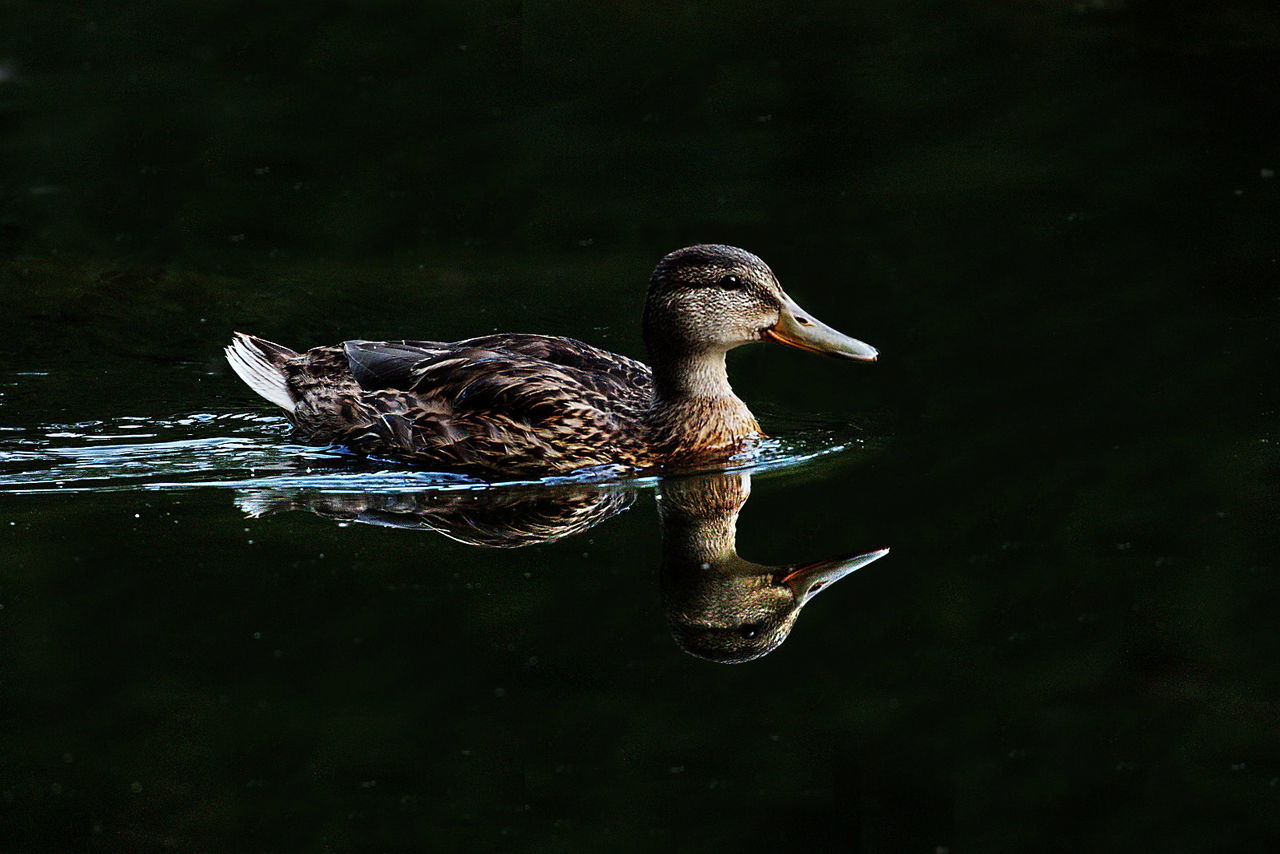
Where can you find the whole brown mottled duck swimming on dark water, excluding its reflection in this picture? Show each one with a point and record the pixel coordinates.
(538, 405)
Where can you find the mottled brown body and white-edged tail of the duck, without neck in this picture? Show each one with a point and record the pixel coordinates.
(500, 404)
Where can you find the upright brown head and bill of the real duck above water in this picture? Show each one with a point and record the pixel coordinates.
(711, 299)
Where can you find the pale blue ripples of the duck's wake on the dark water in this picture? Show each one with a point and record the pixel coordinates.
(245, 451)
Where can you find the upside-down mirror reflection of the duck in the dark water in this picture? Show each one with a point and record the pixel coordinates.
(720, 608)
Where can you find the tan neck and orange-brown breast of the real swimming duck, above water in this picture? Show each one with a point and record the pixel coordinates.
(694, 412)
